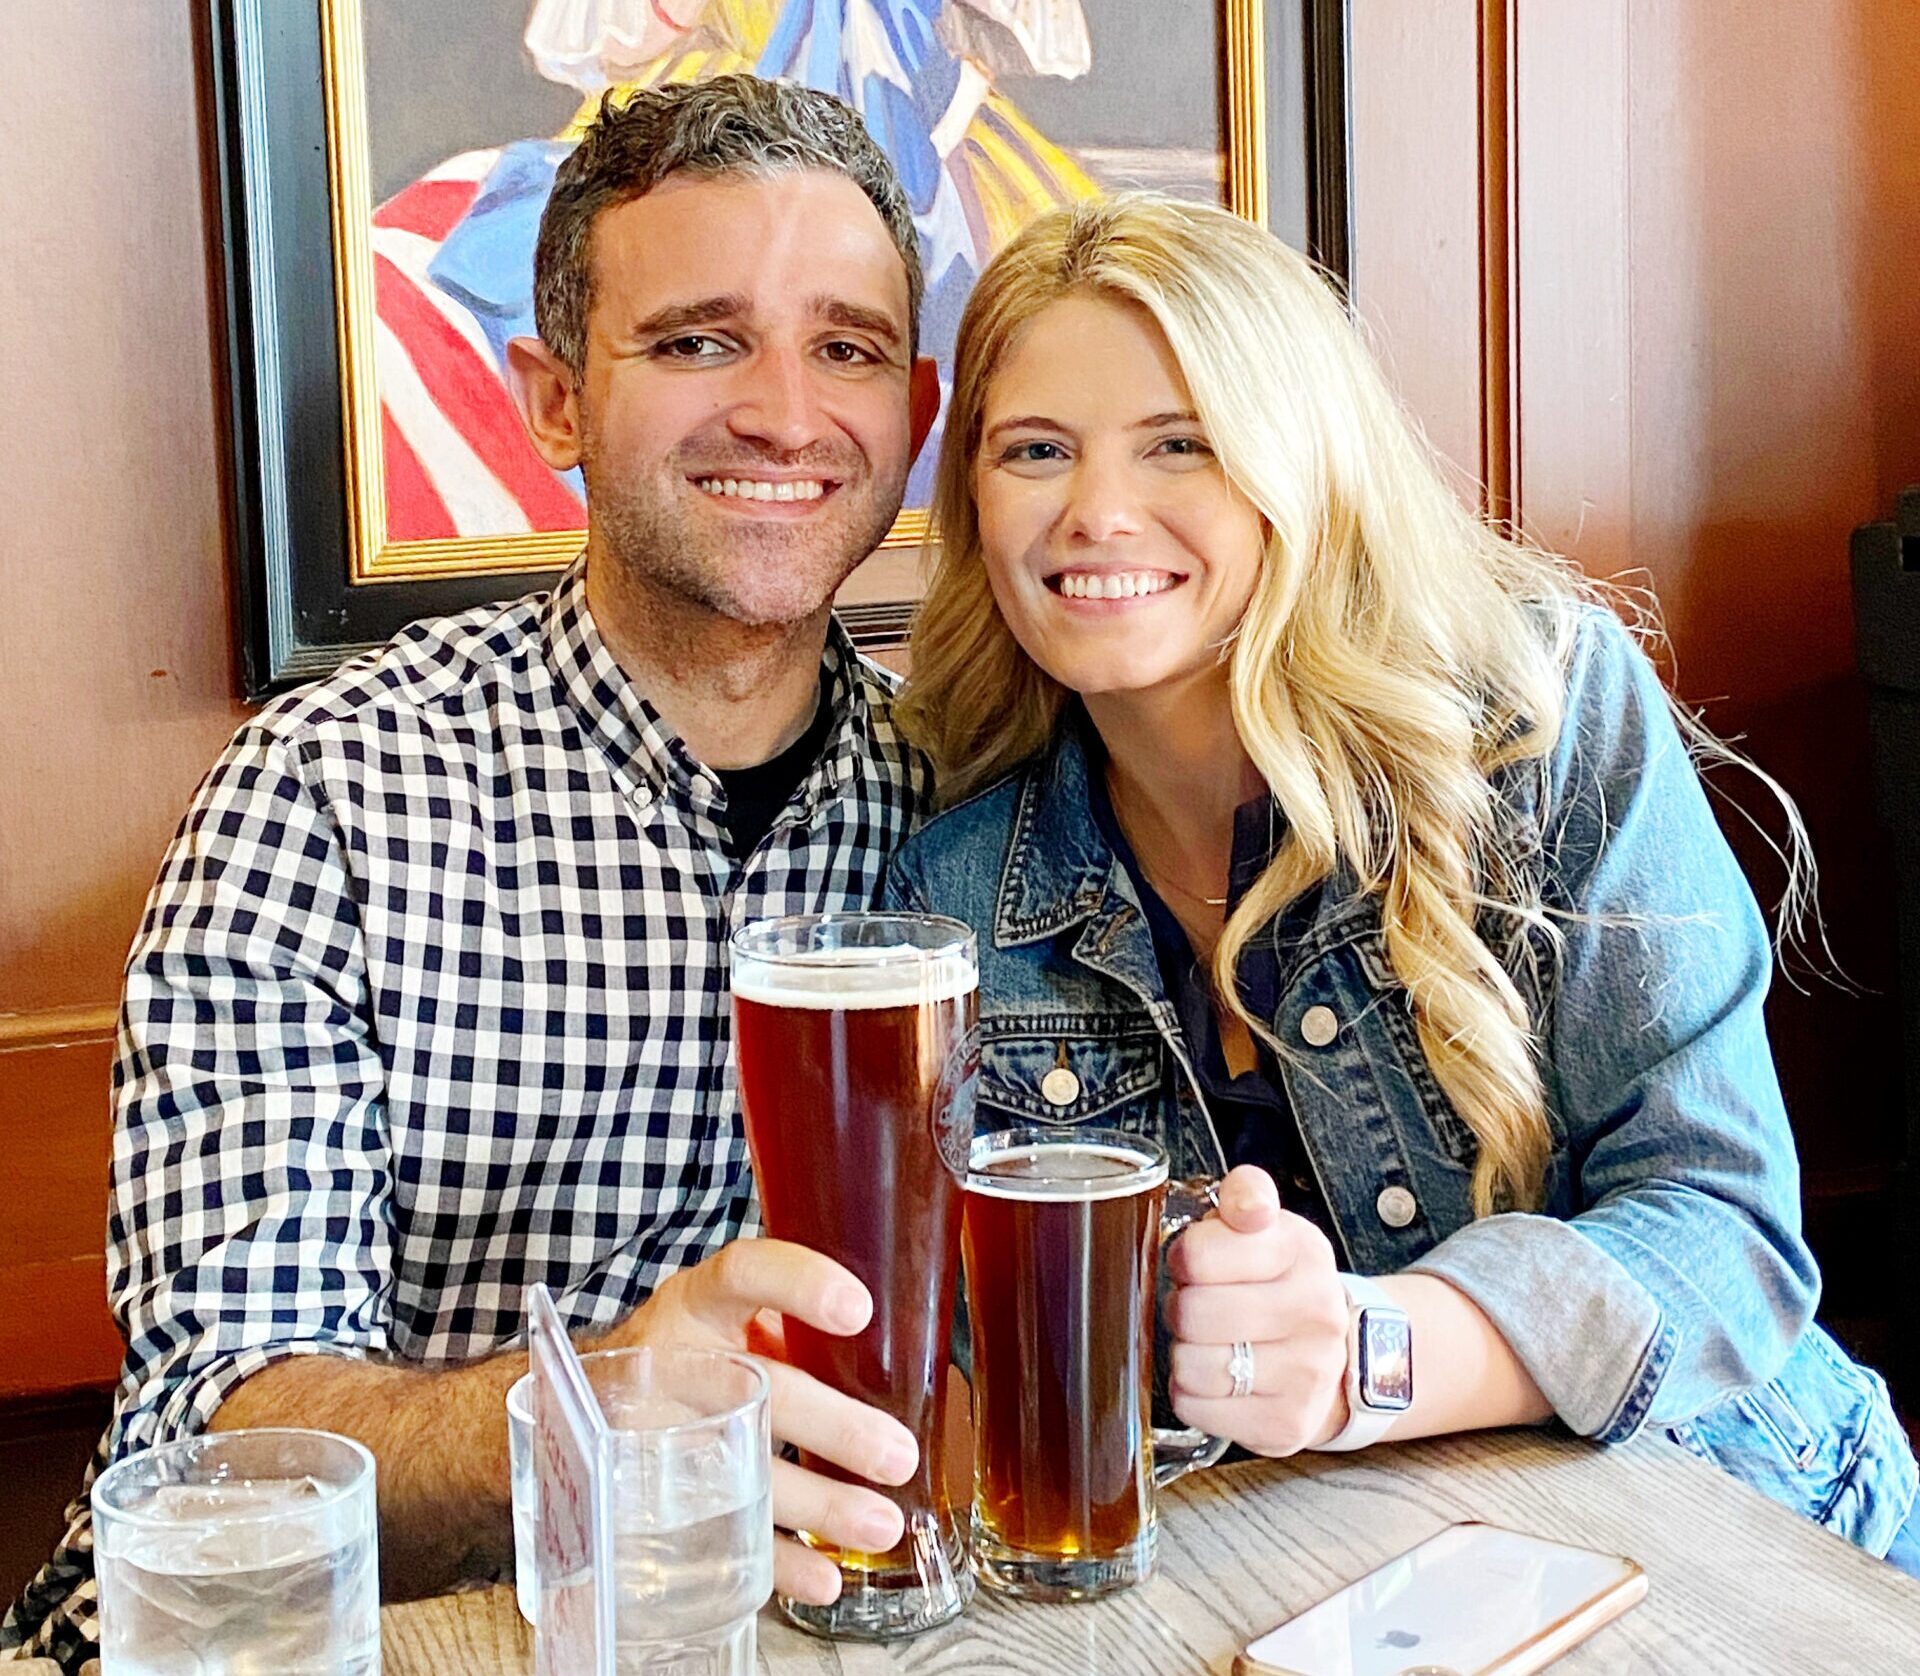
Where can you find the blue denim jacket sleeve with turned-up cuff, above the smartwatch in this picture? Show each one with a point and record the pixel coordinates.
(1677, 1274)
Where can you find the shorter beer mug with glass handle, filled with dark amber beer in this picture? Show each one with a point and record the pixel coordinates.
(1063, 1262)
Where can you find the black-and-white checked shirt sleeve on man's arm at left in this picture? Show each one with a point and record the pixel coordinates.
(251, 1182)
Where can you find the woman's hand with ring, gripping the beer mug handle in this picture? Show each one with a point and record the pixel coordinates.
(1259, 1274)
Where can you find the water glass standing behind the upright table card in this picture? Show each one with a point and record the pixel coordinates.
(692, 1506)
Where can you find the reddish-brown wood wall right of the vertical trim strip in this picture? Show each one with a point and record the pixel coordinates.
(1719, 377)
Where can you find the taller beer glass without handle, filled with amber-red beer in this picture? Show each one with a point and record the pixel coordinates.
(857, 1049)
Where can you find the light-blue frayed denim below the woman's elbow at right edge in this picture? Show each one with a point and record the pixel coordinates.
(1819, 1439)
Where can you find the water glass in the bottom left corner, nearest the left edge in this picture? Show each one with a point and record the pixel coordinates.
(239, 1552)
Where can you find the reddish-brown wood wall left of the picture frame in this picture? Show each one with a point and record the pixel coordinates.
(116, 669)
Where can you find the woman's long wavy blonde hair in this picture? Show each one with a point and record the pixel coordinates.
(1397, 652)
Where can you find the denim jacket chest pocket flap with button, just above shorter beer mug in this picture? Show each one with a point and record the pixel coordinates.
(1065, 1068)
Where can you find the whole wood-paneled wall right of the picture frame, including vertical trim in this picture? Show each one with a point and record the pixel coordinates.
(1691, 233)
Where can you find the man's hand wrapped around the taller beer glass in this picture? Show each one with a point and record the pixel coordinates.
(734, 1301)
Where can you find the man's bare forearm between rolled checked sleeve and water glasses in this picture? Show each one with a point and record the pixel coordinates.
(441, 1445)
